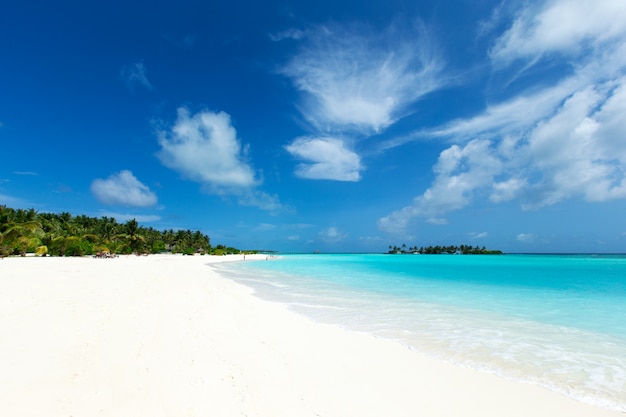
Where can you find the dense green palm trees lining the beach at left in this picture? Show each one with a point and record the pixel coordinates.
(26, 231)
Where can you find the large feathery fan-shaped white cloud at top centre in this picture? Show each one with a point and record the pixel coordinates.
(361, 81)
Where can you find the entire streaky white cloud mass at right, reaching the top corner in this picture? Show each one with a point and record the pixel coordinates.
(550, 144)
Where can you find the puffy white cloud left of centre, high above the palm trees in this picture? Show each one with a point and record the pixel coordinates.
(204, 147)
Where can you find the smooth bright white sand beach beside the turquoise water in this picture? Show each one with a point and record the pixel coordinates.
(167, 336)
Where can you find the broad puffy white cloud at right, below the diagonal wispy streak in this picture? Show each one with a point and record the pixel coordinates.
(577, 150)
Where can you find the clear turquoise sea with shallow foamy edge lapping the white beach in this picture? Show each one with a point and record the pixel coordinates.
(554, 320)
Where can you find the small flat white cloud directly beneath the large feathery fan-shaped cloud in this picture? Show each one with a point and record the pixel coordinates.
(326, 158)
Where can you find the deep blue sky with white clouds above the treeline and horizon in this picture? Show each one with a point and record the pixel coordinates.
(328, 125)
